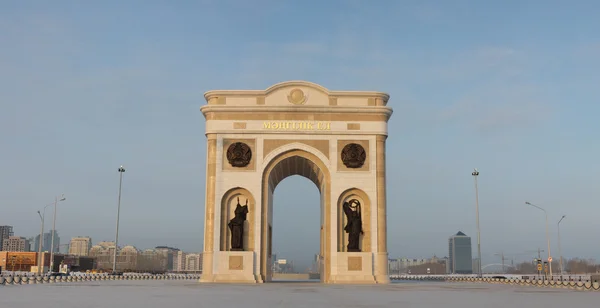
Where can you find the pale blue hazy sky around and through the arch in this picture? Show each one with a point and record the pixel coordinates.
(509, 87)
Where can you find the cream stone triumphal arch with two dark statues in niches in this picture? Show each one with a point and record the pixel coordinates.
(257, 138)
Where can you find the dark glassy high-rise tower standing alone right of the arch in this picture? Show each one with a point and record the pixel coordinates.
(460, 254)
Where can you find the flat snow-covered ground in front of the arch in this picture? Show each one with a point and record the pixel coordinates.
(185, 293)
